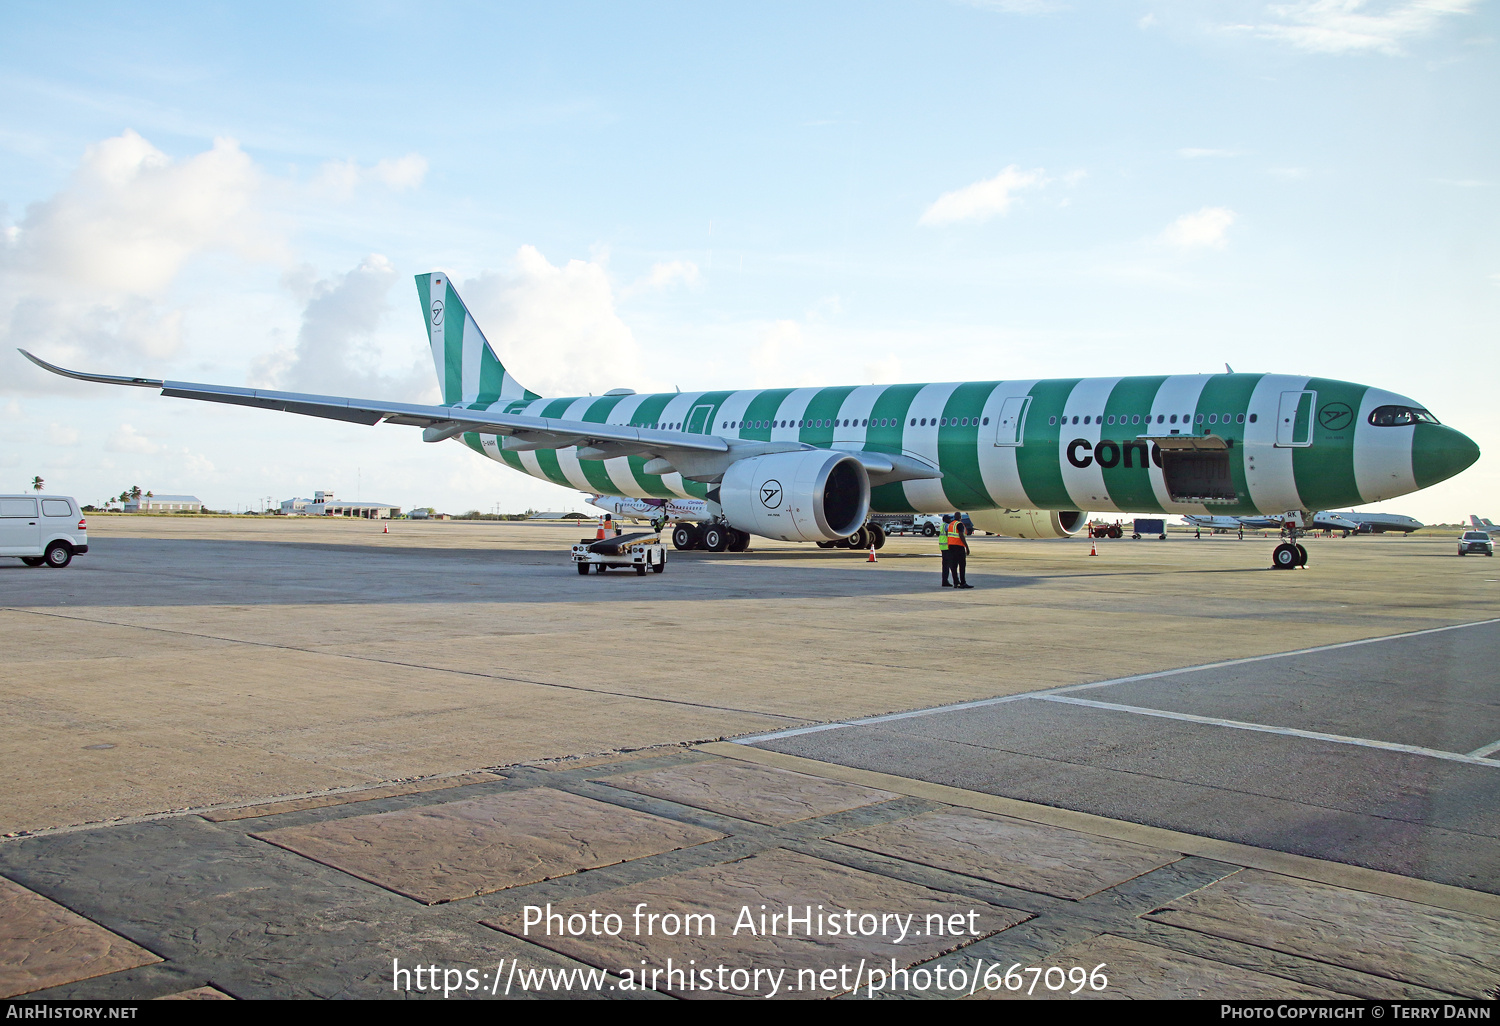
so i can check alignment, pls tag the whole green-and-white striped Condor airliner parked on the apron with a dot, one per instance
(1021, 457)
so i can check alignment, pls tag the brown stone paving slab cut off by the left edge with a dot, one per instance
(46, 946)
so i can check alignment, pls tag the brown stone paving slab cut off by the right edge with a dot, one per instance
(1387, 937)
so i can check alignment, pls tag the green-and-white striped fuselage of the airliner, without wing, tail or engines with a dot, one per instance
(1078, 448)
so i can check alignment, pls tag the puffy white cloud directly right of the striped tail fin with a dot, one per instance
(556, 329)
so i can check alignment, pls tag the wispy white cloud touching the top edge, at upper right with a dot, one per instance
(1355, 26)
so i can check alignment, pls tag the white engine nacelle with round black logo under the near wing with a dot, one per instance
(809, 496)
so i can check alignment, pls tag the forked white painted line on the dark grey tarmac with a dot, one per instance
(1052, 692)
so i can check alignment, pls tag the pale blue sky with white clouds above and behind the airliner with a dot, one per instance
(713, 196)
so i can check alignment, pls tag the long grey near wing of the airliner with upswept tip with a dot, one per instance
(439, 422)
